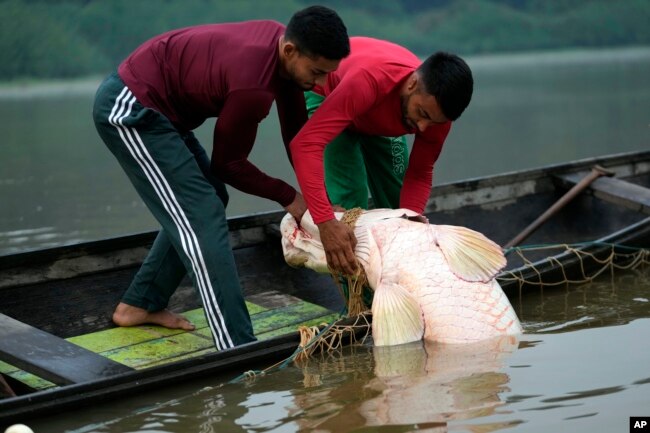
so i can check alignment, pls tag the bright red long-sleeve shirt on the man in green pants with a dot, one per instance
(363, 95)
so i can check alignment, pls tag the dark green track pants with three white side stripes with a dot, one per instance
(171, 172)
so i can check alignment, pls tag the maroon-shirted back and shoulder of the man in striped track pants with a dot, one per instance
(188, 73)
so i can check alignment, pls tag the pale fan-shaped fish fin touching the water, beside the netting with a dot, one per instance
(396, 316)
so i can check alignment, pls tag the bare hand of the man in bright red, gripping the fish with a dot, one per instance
(339, 242)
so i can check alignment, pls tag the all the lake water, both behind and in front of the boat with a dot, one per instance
(582, 365)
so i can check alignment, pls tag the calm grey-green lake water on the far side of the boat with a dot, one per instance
(59, 184)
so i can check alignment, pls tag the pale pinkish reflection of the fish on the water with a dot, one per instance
(445, 382)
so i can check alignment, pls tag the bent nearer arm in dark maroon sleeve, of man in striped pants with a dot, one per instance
(234, 136)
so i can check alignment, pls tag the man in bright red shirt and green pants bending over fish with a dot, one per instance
(352, 141)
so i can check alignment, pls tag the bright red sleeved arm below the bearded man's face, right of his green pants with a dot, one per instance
(419, 174)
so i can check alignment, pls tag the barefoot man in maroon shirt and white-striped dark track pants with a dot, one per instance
(146, 113)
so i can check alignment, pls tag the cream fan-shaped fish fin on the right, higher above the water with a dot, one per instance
(470, 255)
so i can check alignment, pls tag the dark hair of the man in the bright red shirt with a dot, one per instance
(447, 77)
